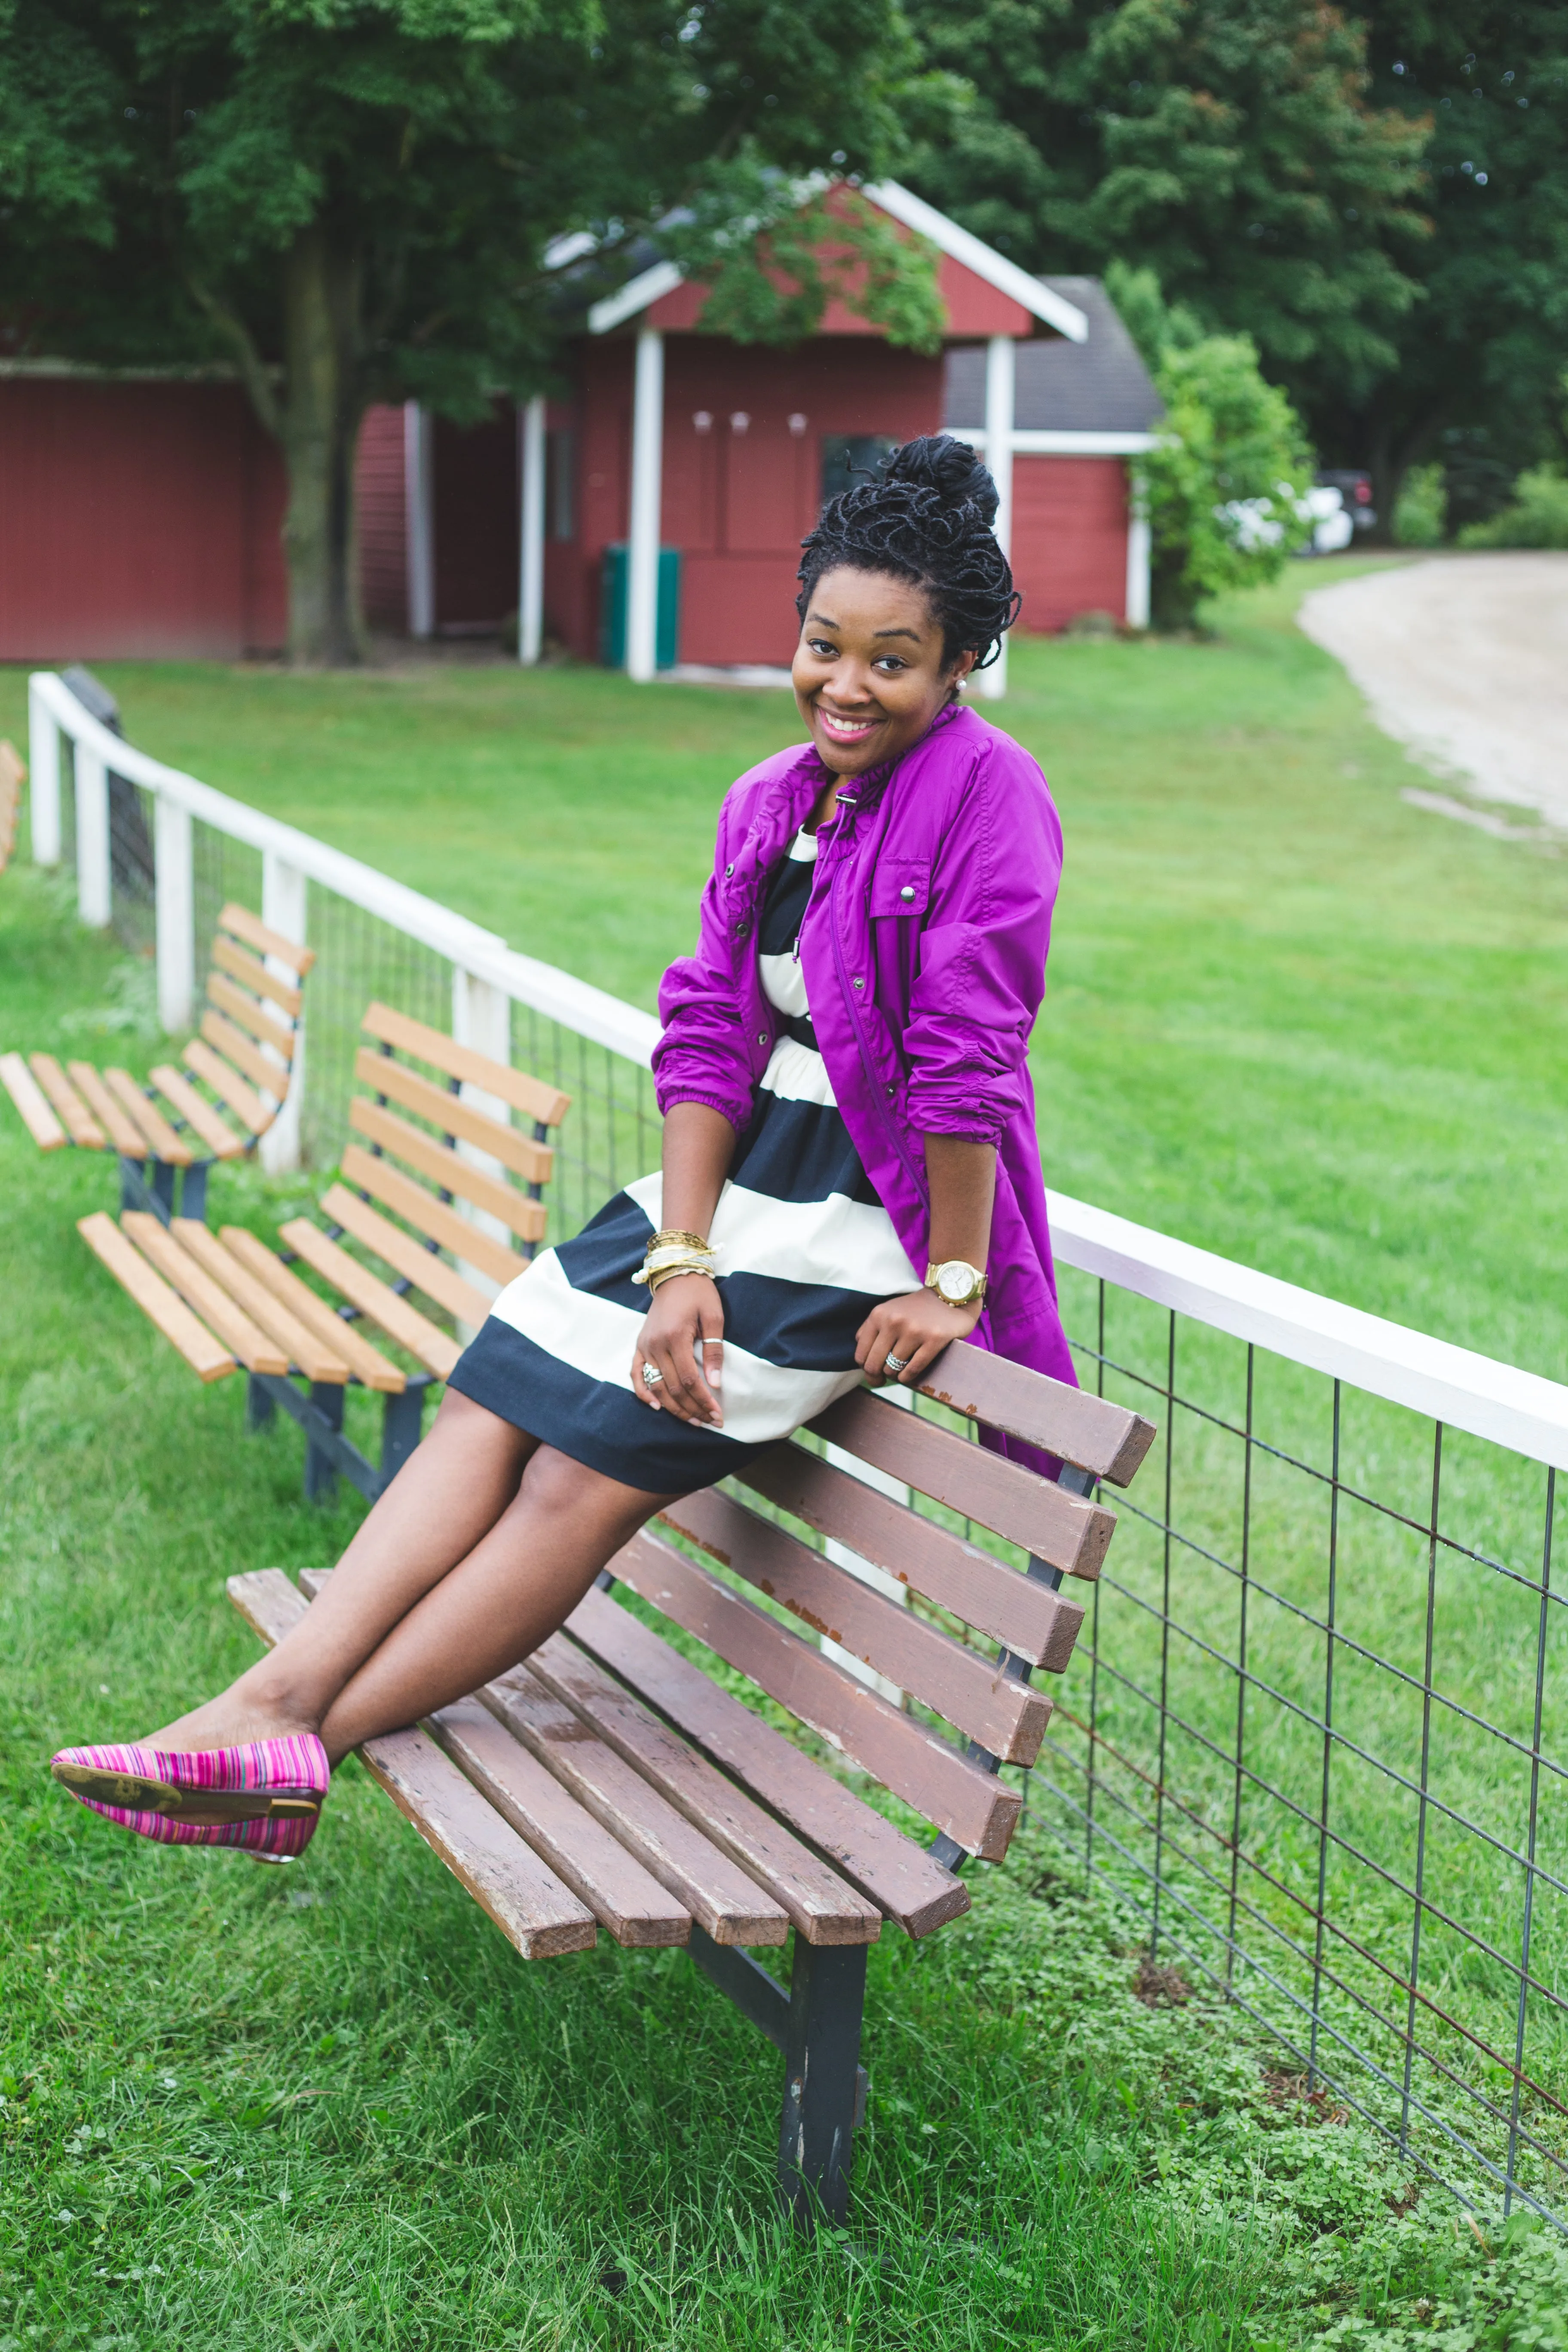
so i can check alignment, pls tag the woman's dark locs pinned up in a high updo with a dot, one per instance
(925, 519)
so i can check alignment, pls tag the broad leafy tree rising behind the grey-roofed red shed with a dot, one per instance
(1226, 145)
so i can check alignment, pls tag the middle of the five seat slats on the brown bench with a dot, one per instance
(728, 1904)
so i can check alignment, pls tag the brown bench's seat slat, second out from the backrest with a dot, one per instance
(817, 1899)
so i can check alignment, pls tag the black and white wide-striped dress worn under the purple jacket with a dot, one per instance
(803, 1245)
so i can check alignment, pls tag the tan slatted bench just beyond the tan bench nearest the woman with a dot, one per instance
(217, 1107)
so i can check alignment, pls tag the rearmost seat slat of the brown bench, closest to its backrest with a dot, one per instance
(878, 1859)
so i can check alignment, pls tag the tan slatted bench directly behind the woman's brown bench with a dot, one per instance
(420, 1147)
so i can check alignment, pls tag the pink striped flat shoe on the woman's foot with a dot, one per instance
(262, 1798)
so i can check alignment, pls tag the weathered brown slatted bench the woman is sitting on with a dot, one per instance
(610, 1782)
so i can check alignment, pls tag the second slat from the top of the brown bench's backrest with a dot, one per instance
(1059, 1528)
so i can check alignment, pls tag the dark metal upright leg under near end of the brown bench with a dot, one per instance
(822, 2080)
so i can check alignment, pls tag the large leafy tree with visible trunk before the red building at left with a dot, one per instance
(351, 199)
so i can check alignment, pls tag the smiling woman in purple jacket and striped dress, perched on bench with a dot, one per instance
(850, 1182)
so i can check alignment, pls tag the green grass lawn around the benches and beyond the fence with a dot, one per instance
(328, 2109)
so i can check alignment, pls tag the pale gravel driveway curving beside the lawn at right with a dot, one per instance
(1466, 660)
